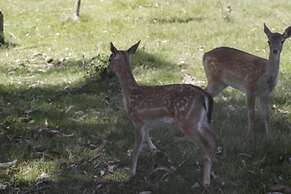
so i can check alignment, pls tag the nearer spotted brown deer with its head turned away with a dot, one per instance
(185, 106)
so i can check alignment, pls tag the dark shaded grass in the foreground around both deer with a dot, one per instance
(85, 133)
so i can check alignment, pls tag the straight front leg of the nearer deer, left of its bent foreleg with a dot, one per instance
(140, 137)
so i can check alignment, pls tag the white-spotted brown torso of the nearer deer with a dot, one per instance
(167, 101)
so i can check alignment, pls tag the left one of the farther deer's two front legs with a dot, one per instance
(251, 100)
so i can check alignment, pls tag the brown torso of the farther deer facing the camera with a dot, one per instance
(242, 71)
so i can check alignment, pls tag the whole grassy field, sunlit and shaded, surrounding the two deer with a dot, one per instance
(65, 125)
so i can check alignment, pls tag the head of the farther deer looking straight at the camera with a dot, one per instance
(276, 40)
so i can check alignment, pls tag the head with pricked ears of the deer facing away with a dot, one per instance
(120, 58)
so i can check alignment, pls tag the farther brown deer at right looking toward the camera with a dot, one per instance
(253, 75)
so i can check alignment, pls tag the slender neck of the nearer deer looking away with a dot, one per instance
(126, 80)
